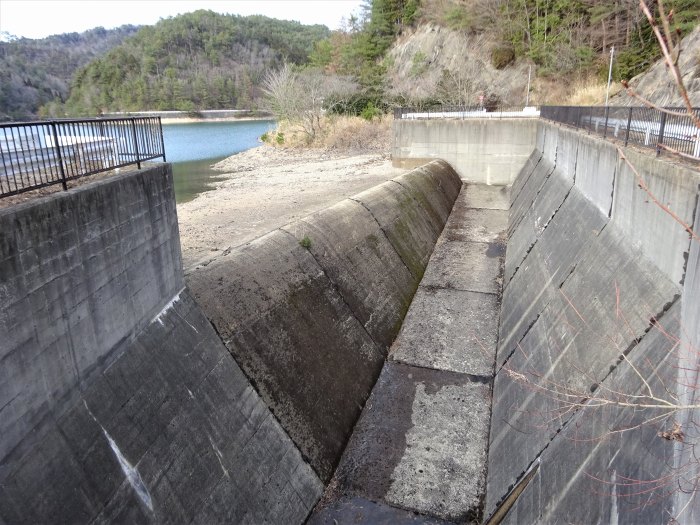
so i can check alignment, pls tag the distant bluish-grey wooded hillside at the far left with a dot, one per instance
(34, 72)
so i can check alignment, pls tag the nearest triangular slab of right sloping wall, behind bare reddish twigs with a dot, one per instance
(607, 474)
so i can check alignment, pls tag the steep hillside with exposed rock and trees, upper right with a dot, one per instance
(456, 51)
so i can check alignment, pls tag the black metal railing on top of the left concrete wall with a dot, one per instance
(43, 153)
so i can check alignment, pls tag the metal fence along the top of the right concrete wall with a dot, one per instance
(672, 129)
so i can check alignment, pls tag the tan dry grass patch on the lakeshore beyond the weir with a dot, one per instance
(339, 134)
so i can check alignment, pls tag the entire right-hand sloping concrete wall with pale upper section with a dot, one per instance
(599, 306)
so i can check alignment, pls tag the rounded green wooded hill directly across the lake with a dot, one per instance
(200, 60)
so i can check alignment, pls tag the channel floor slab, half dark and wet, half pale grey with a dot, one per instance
(414, 445)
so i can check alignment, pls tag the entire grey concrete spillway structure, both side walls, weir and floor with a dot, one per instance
(508, 334)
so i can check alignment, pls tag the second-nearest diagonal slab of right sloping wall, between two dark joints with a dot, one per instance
(601, 310)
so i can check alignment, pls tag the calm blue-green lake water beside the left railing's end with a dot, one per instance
(193, 147)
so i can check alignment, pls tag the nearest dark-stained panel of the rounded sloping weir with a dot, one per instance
(281, 318)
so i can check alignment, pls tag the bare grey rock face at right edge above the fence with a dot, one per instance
(657, 84)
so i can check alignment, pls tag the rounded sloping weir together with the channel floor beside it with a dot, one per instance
(311, 310)
